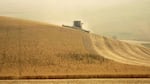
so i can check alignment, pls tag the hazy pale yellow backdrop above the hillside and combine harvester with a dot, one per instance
(126, 19)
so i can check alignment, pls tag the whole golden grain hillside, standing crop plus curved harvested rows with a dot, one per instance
(33, 49)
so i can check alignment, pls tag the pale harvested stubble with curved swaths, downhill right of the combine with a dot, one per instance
(120, 51)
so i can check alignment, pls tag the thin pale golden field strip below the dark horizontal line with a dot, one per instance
(80, 81)
